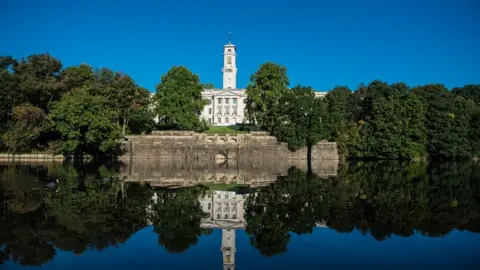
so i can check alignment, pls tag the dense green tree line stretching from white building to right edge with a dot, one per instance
(376, 121)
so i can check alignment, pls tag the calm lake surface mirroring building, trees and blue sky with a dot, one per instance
(245, 215)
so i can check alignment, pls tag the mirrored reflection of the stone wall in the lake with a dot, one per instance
(186, 173)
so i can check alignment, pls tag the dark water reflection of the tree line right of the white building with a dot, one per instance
(379, 199)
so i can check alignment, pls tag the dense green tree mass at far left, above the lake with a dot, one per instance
(73, 110)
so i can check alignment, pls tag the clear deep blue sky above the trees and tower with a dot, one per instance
(322, 43)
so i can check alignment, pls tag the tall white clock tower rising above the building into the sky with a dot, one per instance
(229, 65)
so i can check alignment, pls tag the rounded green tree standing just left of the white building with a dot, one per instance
(178, 101)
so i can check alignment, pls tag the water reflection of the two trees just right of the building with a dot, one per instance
(290, 204)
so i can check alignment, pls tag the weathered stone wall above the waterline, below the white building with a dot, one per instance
(199, 146)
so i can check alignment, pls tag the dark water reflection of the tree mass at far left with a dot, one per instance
(86, 212)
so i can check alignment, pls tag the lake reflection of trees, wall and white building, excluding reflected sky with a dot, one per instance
(94, 207)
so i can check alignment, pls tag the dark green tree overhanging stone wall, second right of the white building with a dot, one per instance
(303, 120)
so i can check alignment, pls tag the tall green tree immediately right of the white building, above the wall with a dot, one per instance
(266, 87)
